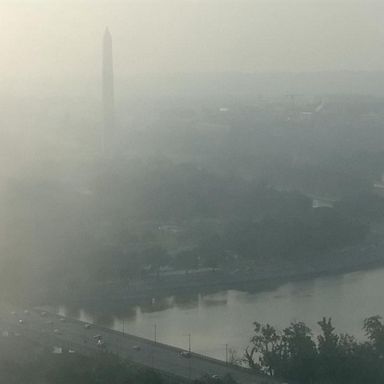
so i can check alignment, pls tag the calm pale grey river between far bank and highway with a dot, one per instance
(225, 318)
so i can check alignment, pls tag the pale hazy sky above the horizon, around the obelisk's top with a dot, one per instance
(62, 38)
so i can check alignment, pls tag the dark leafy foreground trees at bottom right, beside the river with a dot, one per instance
(295, 354)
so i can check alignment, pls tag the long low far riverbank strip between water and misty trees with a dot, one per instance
(258, 278)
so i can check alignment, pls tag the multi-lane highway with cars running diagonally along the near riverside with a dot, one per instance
(52, 330)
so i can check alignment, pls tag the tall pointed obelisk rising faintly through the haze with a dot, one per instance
(108, 93)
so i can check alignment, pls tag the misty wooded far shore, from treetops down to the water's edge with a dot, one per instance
(181, 229)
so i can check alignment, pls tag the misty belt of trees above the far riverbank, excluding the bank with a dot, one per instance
(59, 235)
